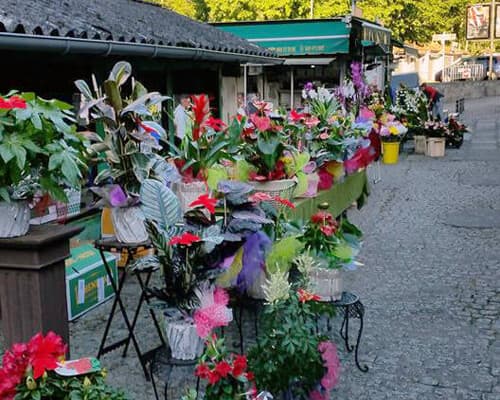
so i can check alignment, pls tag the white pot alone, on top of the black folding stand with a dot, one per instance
(128, 223)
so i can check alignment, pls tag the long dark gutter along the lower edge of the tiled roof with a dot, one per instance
(105, 48)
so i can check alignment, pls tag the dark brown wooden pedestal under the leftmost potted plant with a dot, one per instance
(33, 283)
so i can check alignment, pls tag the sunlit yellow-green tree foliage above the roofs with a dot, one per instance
(410, 20)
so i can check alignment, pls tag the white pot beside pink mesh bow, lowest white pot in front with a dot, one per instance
(183, 340)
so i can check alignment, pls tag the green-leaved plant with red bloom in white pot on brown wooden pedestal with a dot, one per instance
(40, 152)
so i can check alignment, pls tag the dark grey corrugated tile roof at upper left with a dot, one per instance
(129, 21)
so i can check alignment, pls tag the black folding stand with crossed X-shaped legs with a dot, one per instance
(131, 249)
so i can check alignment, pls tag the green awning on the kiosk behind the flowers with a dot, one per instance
(295, 38)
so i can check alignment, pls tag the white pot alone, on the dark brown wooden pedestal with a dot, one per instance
(14, 218)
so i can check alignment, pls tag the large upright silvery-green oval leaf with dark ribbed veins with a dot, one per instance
(160, 204)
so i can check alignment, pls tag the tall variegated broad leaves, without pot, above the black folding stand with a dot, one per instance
(127, 114)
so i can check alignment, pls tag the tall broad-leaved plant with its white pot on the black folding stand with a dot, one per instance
(128, 139)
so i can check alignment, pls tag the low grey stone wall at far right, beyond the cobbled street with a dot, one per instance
(468, 89)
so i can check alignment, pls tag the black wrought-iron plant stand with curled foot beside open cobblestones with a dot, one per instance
(351, 307)
